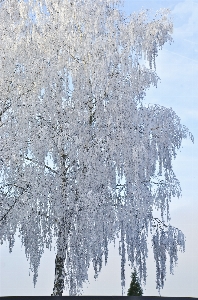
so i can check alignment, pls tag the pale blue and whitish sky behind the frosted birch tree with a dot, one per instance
(177, 66)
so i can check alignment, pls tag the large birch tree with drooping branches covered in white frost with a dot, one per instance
(81, 157)
